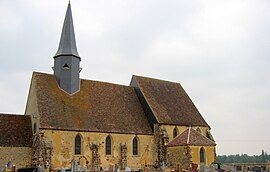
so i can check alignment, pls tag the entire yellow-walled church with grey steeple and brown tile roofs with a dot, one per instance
(95, 125)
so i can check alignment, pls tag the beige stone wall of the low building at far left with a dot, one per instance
(19, 156)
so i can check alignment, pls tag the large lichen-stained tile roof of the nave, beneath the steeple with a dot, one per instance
(98, 106)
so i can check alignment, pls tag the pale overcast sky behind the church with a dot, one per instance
(218, 50)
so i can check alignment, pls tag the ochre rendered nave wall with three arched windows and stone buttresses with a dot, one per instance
(63, 143)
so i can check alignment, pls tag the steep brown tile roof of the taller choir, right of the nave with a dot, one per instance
(169, 102)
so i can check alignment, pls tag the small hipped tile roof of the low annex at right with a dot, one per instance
(192, 138)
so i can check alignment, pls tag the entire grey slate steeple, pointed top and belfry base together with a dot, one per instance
(67, 60)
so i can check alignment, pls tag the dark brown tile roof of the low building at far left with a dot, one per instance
(15, 130)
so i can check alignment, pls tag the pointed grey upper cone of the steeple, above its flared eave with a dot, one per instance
(67, 45)
